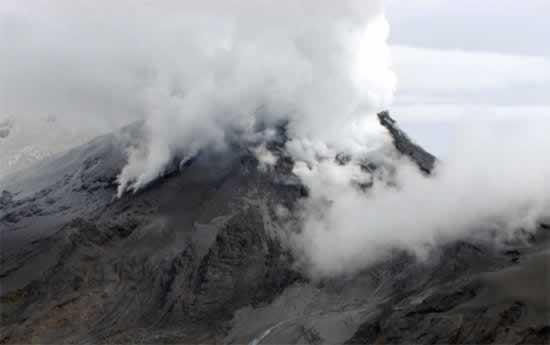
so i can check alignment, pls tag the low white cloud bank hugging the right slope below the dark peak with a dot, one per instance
(490, 187)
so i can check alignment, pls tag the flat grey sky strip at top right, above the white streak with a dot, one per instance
(505, 26)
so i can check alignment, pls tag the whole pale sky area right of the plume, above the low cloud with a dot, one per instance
(459, 61)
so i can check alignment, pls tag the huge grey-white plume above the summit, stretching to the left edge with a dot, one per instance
(195, 70)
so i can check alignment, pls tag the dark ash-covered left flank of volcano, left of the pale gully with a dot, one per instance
(190, 250)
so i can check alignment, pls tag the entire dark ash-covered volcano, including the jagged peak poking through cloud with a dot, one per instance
(197, 258)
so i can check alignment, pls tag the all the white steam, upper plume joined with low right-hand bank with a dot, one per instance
(199, 72)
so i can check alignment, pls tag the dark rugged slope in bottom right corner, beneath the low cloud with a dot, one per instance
(478, 307)
